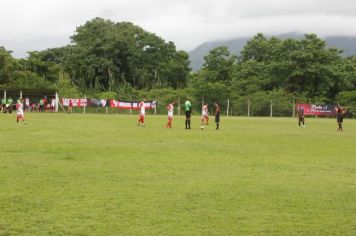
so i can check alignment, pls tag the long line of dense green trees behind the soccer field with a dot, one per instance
(121, 60)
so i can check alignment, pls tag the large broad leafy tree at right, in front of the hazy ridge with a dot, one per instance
(303, 66)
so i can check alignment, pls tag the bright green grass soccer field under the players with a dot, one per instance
(87, 174)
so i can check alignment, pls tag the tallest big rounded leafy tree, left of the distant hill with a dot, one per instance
(107, 55)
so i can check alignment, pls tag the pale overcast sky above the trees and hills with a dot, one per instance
(27, 25)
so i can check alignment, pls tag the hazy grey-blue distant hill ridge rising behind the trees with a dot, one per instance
(235, 45)
